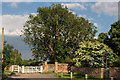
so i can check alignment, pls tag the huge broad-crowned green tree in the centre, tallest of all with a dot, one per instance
(54, 33)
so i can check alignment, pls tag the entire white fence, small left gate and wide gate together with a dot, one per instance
(27, 69)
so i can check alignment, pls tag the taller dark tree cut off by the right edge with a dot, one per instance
(114, 33)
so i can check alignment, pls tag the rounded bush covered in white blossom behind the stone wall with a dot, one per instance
(93, 54)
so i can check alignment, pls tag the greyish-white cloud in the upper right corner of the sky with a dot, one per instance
(108, 8)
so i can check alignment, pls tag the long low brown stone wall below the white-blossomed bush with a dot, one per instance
(97, 72)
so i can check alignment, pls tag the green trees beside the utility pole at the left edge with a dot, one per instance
(11, 56)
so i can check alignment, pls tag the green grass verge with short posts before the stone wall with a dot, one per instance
(76, 76)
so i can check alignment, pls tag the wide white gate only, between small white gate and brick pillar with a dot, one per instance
(32, 69)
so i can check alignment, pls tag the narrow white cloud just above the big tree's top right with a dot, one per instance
(74, 5)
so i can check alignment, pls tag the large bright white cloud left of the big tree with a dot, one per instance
(13, 24)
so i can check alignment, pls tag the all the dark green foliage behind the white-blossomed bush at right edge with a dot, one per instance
(113, 40)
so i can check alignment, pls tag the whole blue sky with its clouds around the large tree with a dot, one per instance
(15, 14)
